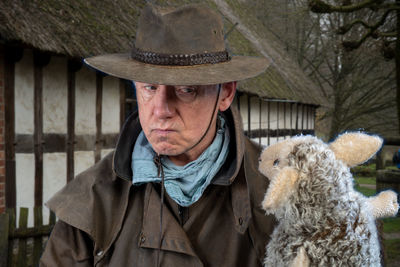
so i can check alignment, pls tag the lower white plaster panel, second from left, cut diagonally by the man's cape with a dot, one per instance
(54, 177)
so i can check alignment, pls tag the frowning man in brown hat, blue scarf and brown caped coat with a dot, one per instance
(182, 187)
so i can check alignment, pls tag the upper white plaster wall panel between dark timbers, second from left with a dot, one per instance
(55, 96)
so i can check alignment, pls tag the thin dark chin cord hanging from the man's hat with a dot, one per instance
(160, 173)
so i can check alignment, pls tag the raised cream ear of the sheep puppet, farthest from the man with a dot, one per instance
(355, 148)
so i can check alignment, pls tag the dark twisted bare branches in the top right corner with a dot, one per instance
(374, 19)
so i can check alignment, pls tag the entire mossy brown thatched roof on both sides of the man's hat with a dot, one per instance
(82, 28)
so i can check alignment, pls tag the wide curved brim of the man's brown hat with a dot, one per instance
(123, 66)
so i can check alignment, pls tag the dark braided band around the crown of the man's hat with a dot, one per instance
(179, 59)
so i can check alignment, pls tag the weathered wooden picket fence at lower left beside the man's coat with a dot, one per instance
(21, 245)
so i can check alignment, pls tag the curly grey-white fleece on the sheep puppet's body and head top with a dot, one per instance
(324, 214)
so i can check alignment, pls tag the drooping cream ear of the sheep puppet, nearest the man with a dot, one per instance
(280, 189)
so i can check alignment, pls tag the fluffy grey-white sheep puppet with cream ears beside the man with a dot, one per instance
(322, 220)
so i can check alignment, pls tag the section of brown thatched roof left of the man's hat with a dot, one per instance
(77, 28)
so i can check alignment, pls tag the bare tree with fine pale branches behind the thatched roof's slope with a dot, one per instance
(359, 84)
